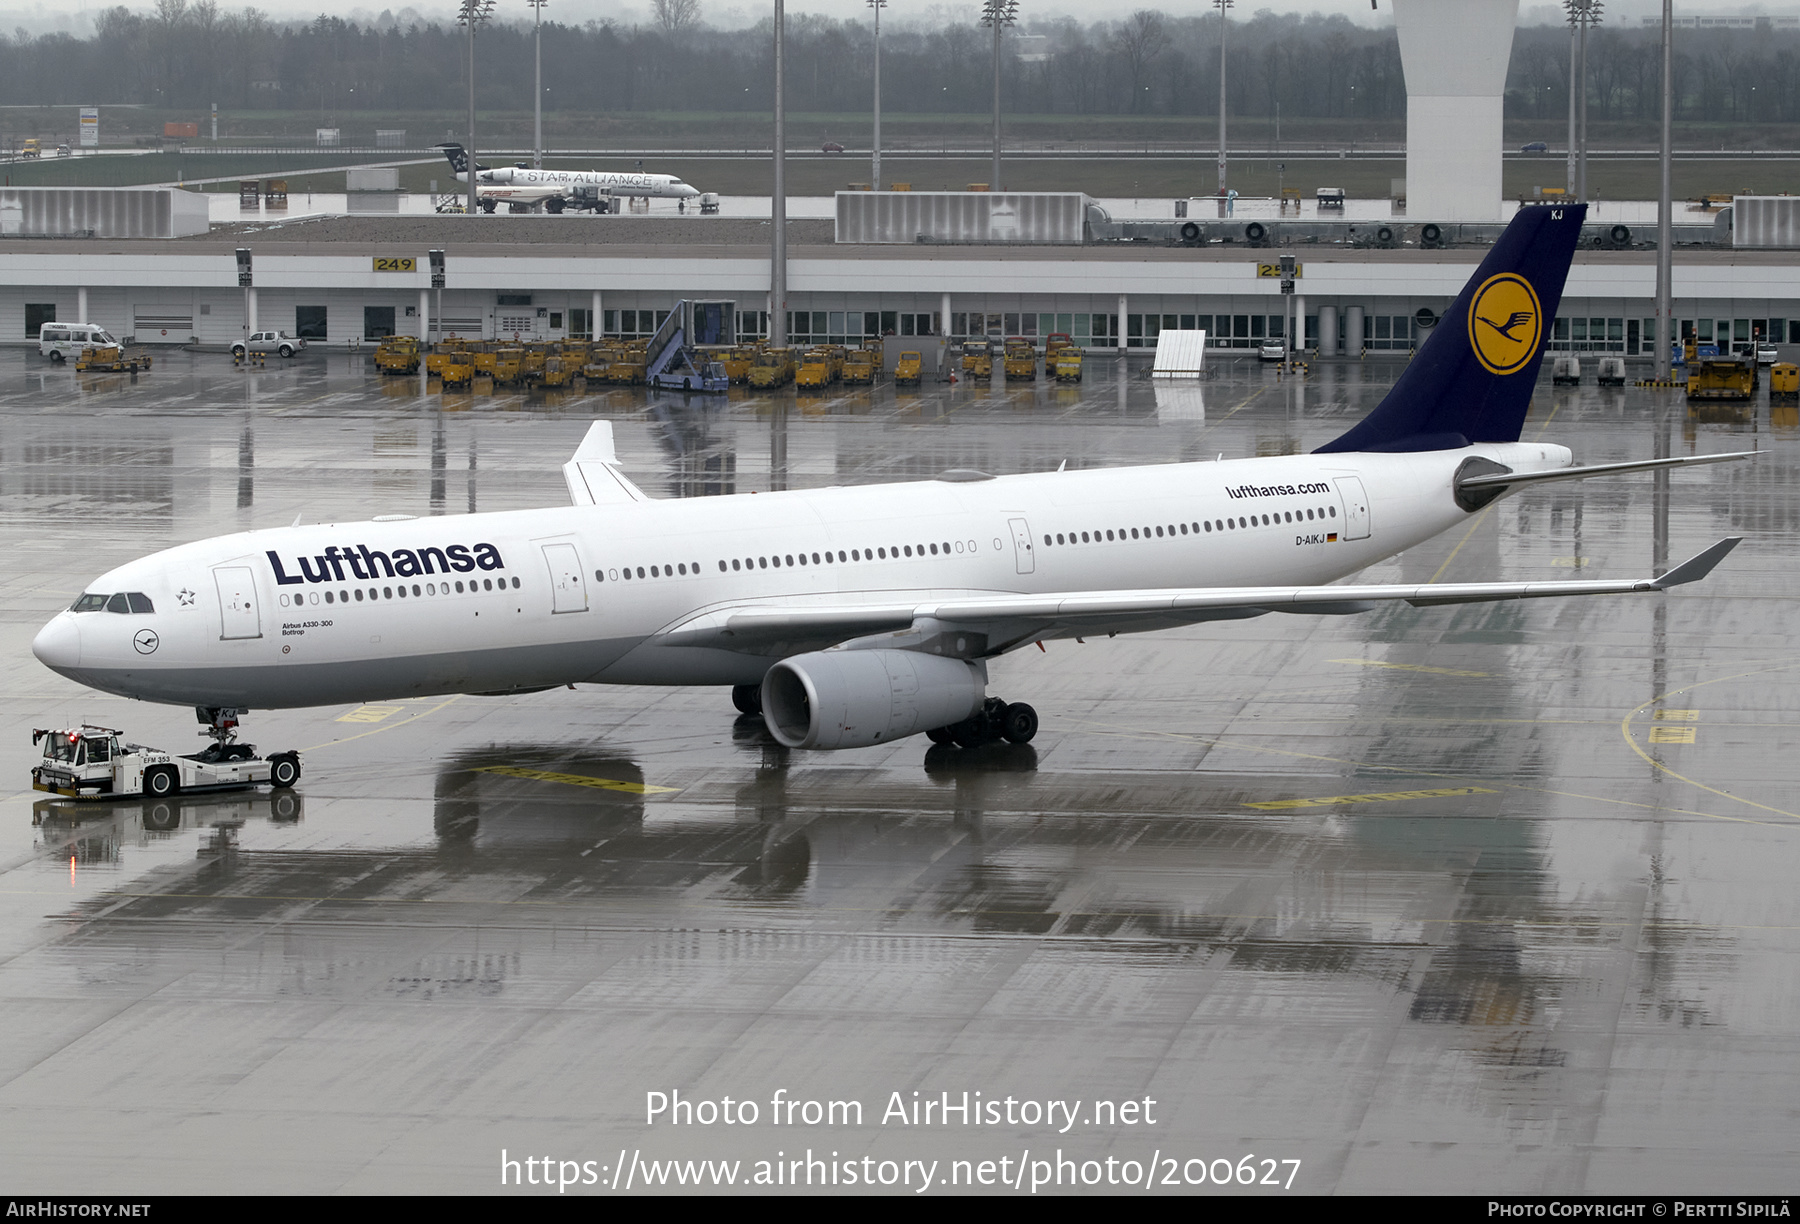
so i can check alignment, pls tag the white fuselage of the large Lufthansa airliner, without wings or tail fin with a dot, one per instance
(519, 600)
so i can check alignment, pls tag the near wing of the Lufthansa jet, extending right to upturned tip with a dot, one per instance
(1009, 622)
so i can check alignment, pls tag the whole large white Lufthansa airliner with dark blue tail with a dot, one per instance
(856, 616)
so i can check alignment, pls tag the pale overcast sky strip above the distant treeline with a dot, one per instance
(78, 19)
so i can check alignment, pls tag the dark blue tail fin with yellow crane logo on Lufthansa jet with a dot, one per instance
(1473, 379)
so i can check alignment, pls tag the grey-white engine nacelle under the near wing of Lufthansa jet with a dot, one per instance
(850, 699)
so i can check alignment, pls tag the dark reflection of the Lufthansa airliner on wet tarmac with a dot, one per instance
(1164, 870)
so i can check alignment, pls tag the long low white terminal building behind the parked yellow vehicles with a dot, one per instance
(1119, 298)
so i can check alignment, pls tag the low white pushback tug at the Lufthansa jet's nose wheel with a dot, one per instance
(96, 762)
